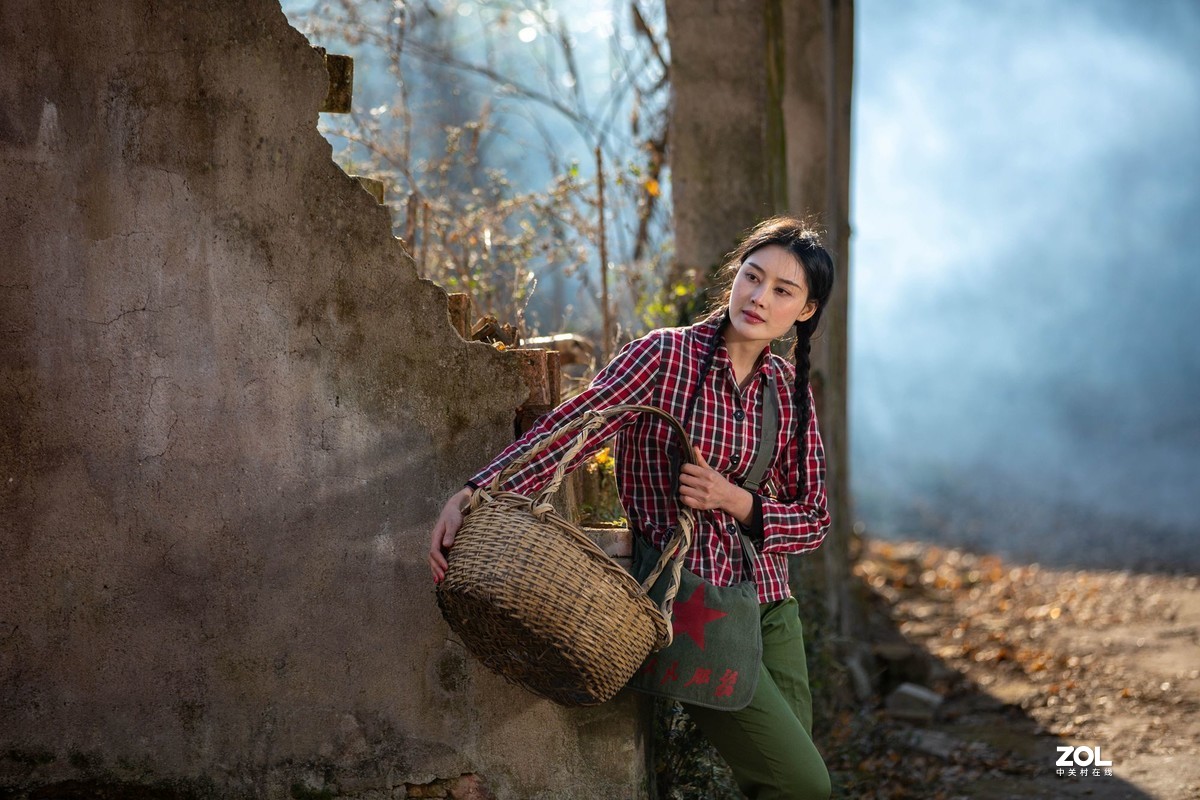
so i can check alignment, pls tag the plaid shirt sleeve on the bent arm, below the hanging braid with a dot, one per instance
(799, 525)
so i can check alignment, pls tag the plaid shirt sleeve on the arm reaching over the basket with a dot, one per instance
(628, 380)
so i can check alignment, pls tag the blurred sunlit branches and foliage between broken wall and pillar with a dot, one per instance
(493, 124)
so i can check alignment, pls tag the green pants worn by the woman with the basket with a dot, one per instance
(769, 744)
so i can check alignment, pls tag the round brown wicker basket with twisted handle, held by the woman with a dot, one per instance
(539, 603)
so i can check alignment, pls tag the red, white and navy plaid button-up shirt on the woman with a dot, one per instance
(662, 370)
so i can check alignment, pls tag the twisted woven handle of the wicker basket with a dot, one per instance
(586, 425)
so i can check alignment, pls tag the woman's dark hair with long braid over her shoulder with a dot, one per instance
(802, 240)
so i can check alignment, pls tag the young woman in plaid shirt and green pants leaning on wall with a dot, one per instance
(713, 377)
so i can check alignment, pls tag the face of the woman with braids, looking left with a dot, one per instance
(770, 296)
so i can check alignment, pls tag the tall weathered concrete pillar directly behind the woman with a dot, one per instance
(761, 125)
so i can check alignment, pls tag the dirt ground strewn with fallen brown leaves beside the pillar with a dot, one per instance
(1027, 660)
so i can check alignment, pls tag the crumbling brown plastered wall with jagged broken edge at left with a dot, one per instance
(231, 413)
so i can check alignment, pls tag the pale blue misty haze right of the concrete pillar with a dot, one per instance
(1024, 353)
